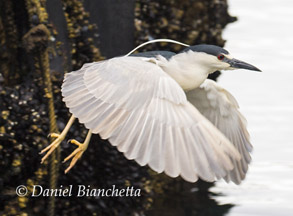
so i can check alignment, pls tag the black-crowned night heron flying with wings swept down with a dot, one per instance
(160, 109)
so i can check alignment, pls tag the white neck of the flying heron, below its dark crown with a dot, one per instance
(185, 69)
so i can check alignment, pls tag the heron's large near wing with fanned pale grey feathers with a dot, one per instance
(145, 113)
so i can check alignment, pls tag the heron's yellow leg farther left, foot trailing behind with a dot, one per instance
(59, 138)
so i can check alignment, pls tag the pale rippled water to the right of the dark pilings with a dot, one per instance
(263, 36)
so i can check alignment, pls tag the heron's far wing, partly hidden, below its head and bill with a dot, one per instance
(221, 108)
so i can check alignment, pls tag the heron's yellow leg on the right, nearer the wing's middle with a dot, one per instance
(77, 153)
